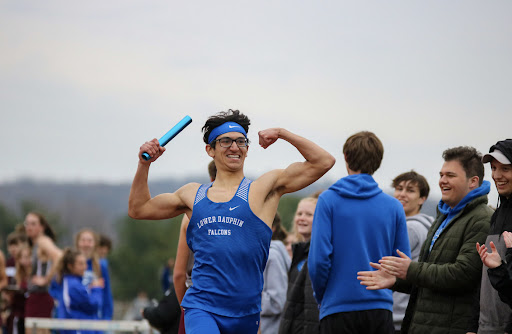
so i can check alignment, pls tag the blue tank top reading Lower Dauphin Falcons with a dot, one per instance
(230, 245)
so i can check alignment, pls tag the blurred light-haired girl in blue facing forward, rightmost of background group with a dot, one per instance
(87, 241)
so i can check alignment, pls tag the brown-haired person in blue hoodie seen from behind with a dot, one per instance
(354, 223)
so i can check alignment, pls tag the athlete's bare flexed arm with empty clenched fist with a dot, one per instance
(300, 174)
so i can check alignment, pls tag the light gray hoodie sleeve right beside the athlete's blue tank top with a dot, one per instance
(275, 286)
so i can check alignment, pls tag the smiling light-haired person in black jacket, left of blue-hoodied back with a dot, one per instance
(300, 313)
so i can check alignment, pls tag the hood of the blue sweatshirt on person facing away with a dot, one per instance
(360, 186)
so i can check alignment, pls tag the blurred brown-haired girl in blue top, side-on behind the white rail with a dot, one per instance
(77, 301)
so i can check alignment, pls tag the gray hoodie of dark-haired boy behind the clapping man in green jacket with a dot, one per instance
(417, 228)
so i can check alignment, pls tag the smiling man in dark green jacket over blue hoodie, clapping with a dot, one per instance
(445, 279)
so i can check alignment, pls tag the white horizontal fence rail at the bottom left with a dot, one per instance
(95, 325)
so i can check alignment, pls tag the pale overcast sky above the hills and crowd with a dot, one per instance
(84, 84)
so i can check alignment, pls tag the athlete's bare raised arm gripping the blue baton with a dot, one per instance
(140, 203)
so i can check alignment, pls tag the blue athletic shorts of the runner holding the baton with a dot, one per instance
(202, 322)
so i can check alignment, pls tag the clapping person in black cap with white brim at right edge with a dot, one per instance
(491, 314)
